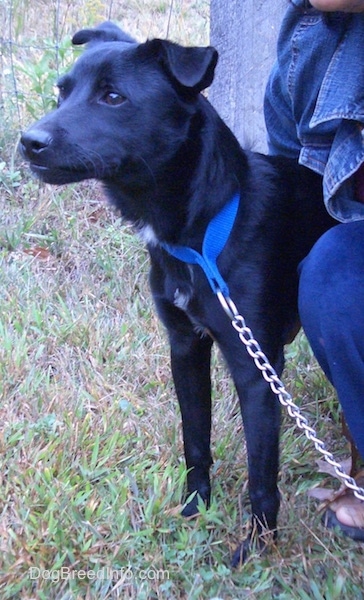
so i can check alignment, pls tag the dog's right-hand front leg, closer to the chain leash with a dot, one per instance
(261, 417)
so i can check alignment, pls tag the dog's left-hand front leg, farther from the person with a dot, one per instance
(190, 359)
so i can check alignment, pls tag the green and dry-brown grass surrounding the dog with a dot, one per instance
(91, 459)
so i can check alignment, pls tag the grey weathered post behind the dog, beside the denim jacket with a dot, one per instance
(244, 32)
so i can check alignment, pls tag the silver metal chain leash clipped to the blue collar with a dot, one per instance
(270, 375)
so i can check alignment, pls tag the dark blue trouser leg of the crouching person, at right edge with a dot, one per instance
(331, 306)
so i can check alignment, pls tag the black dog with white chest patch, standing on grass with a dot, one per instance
(132, 116)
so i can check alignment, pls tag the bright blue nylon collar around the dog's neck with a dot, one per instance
(215, 238)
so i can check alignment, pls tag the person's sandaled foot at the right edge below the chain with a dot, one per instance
(346, 512)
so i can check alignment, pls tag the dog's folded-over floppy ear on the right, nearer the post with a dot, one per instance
(192, 67)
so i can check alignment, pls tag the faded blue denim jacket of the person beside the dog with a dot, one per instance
(314, 102)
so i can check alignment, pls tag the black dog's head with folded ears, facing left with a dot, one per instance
(123, 109)
